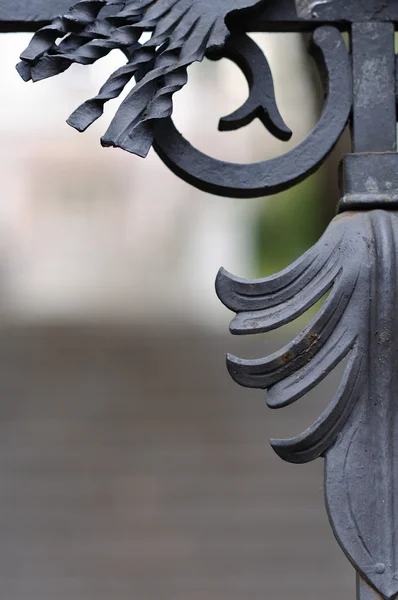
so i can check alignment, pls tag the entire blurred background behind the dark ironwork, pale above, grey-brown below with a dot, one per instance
(131, 466)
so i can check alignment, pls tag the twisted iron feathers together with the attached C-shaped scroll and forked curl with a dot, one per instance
(185, 31)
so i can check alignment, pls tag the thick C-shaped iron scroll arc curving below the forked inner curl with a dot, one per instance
(271, 176)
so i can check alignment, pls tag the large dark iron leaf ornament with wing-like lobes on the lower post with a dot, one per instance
(356, 262)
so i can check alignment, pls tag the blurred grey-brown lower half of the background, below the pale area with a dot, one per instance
(131, 467)
